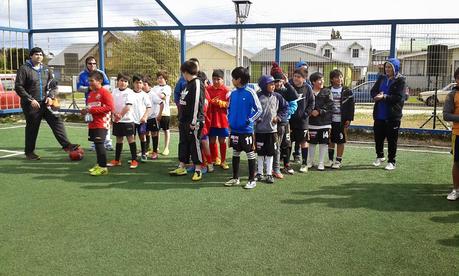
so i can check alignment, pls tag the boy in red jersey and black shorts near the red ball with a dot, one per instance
(100, 106)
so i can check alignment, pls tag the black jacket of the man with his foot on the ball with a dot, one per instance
(34, 84)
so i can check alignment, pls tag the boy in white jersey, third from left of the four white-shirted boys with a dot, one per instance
(154, 118)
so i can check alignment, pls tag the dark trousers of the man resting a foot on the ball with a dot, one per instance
(33, 121)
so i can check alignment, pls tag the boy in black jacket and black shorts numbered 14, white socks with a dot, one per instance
(319, 120)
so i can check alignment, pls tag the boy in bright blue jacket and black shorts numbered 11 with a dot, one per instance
(243, 110)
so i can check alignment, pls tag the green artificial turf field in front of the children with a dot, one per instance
(55, 219)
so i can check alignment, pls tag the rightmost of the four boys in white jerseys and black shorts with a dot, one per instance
(164, 91)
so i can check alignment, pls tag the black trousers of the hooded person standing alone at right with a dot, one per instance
(382, 130)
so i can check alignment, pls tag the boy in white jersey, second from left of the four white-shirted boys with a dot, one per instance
(141, 108)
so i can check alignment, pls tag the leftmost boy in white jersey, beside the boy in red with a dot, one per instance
(123, 121)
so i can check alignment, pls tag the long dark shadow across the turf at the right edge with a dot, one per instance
(397, 197)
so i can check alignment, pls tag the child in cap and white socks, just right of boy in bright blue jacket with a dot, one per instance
(274, 111)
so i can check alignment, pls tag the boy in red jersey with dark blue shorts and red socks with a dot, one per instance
(218, 109)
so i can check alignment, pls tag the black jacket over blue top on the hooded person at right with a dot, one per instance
(394, 99)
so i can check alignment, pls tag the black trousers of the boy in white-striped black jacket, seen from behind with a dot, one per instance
(190, 144)
